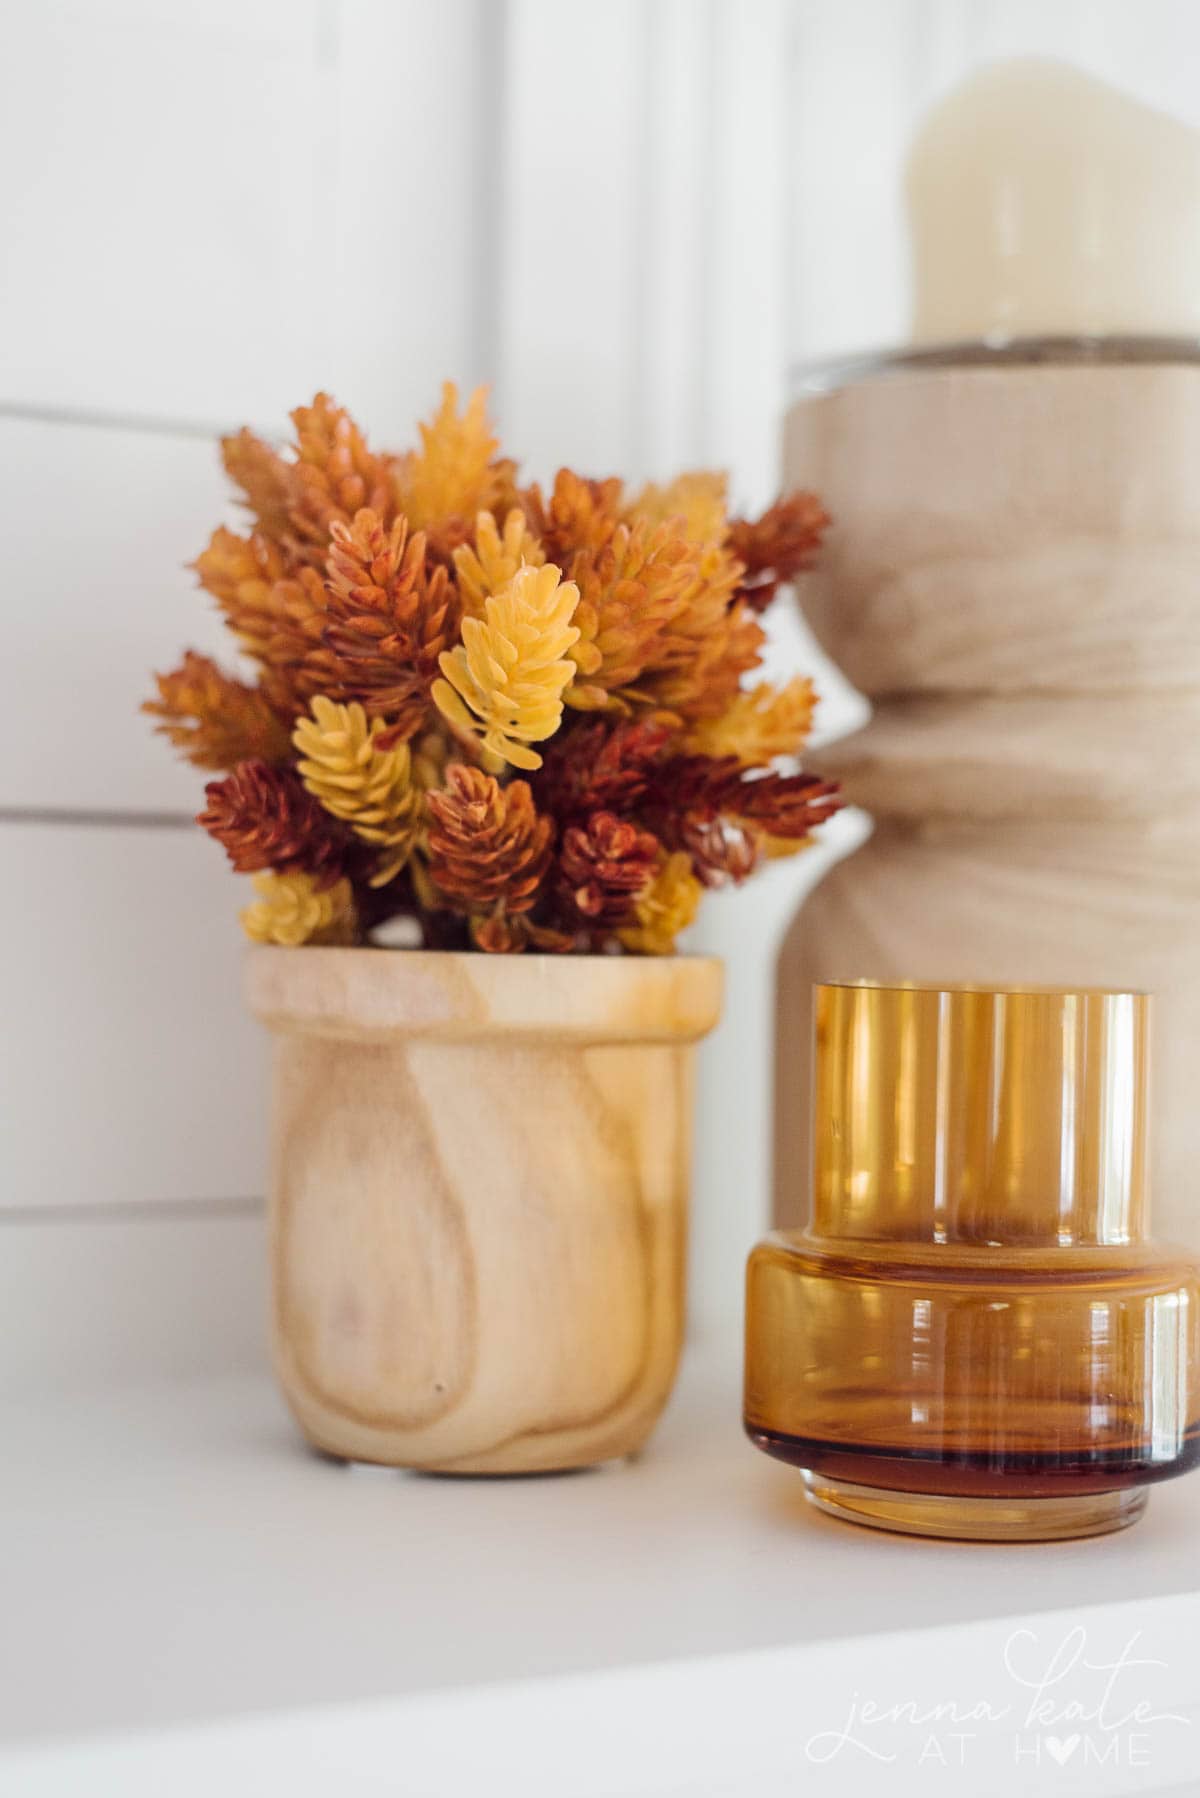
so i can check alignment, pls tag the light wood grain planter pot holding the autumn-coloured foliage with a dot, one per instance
(479, 1200)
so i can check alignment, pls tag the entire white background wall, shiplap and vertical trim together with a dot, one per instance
(627, 218)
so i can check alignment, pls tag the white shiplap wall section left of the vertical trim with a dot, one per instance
(210, 209)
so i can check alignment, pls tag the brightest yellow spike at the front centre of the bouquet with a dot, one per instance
(506, 681)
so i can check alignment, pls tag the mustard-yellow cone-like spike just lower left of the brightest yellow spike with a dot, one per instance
(370, 788)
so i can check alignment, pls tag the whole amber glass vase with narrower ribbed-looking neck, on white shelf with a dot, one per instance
(976, 1335)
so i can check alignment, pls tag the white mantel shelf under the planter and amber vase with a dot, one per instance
(193, 1605)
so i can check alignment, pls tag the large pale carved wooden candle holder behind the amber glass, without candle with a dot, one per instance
(1014, 580)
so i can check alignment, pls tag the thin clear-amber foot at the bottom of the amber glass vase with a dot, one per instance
(978, 1520)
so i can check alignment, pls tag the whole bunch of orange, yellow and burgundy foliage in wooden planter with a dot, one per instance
(517, 718)
